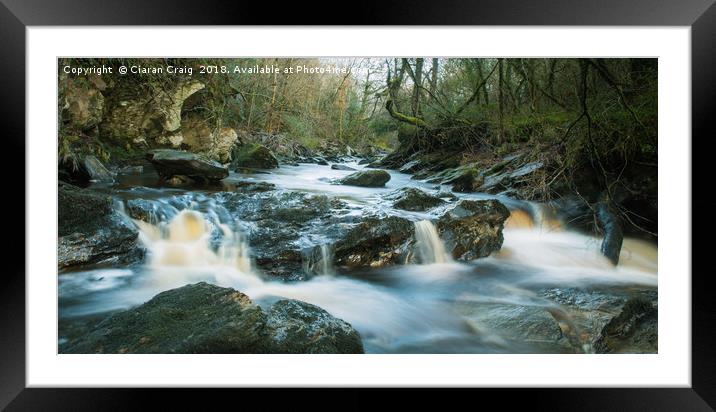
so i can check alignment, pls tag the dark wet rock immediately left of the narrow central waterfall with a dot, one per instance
(375, 242)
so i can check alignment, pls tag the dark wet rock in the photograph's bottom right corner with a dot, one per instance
(634, 330)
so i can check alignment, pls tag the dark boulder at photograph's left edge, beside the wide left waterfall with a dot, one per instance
(91, 231)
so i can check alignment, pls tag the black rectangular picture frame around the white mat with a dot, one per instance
(15, 15)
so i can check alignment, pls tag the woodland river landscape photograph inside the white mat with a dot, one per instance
(357, 205)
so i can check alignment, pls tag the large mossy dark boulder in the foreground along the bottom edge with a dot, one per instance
(204, 318)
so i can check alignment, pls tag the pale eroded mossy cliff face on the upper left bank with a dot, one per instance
(138, 114)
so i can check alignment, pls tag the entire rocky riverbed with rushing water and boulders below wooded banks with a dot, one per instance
(184, 255)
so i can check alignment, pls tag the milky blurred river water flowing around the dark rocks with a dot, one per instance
(547, 290)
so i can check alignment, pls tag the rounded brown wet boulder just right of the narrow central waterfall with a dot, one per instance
(473, 228)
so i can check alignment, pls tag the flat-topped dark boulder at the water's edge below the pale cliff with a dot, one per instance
(169, 163)
